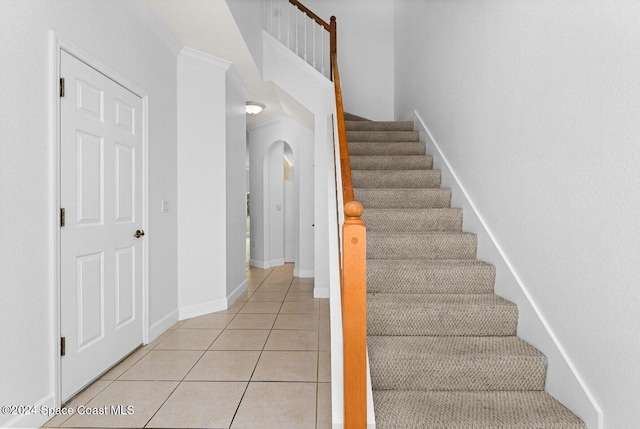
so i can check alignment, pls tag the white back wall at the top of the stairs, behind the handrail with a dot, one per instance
(365, 53)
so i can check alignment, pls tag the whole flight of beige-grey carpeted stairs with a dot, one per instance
(442, 345)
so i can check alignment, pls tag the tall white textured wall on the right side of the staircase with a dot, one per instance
(535, 106)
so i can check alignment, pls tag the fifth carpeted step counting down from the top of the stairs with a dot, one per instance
(396, 178)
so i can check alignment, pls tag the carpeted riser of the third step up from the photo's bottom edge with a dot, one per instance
(467, 320)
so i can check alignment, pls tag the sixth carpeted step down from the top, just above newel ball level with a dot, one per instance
(403, 198)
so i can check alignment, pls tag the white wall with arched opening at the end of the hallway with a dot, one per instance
(261, 138)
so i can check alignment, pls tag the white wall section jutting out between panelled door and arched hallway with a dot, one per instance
(211, 171)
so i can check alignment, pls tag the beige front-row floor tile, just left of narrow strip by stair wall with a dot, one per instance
(277, 405)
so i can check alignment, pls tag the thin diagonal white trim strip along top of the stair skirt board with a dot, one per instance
(486, 231)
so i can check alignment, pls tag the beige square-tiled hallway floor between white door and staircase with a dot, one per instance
(263, 363)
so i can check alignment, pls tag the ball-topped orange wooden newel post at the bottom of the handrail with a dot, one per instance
(354, 316)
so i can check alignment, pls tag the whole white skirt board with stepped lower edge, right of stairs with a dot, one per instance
(563, 380)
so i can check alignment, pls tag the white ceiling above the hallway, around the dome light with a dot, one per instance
(208, 26)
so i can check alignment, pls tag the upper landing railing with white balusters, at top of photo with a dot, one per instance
(289, 22)
